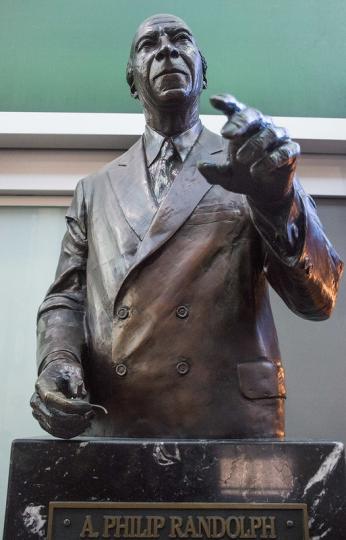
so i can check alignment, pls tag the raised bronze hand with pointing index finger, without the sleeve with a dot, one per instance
(262, 158)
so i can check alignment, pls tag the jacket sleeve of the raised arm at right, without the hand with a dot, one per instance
(300, 263)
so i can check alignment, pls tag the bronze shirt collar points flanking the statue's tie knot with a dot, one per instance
(183, 142)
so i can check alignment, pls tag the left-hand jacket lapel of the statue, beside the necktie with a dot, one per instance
(128, 178)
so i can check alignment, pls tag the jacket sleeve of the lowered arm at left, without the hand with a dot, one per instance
(60, 321)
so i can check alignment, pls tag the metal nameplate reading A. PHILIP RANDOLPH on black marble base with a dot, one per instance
(173, 521)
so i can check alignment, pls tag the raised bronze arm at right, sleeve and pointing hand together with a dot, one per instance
(299, 261)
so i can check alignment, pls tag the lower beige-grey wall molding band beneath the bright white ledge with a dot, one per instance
(32, 177)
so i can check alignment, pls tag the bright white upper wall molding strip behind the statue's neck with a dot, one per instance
(119, 131)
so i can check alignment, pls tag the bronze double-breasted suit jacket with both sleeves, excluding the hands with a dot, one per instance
(167, 308)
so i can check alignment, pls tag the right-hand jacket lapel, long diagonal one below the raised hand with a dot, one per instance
(185, 193)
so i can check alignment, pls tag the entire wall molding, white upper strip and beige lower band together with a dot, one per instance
(43, 155)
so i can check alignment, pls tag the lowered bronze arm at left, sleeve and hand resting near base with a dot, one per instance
(60, 401)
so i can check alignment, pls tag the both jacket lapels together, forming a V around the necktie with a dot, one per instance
(153, 226)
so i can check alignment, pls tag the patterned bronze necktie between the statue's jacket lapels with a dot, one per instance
(168, 166)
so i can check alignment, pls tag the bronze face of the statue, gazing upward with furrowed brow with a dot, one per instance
(167, 65)
